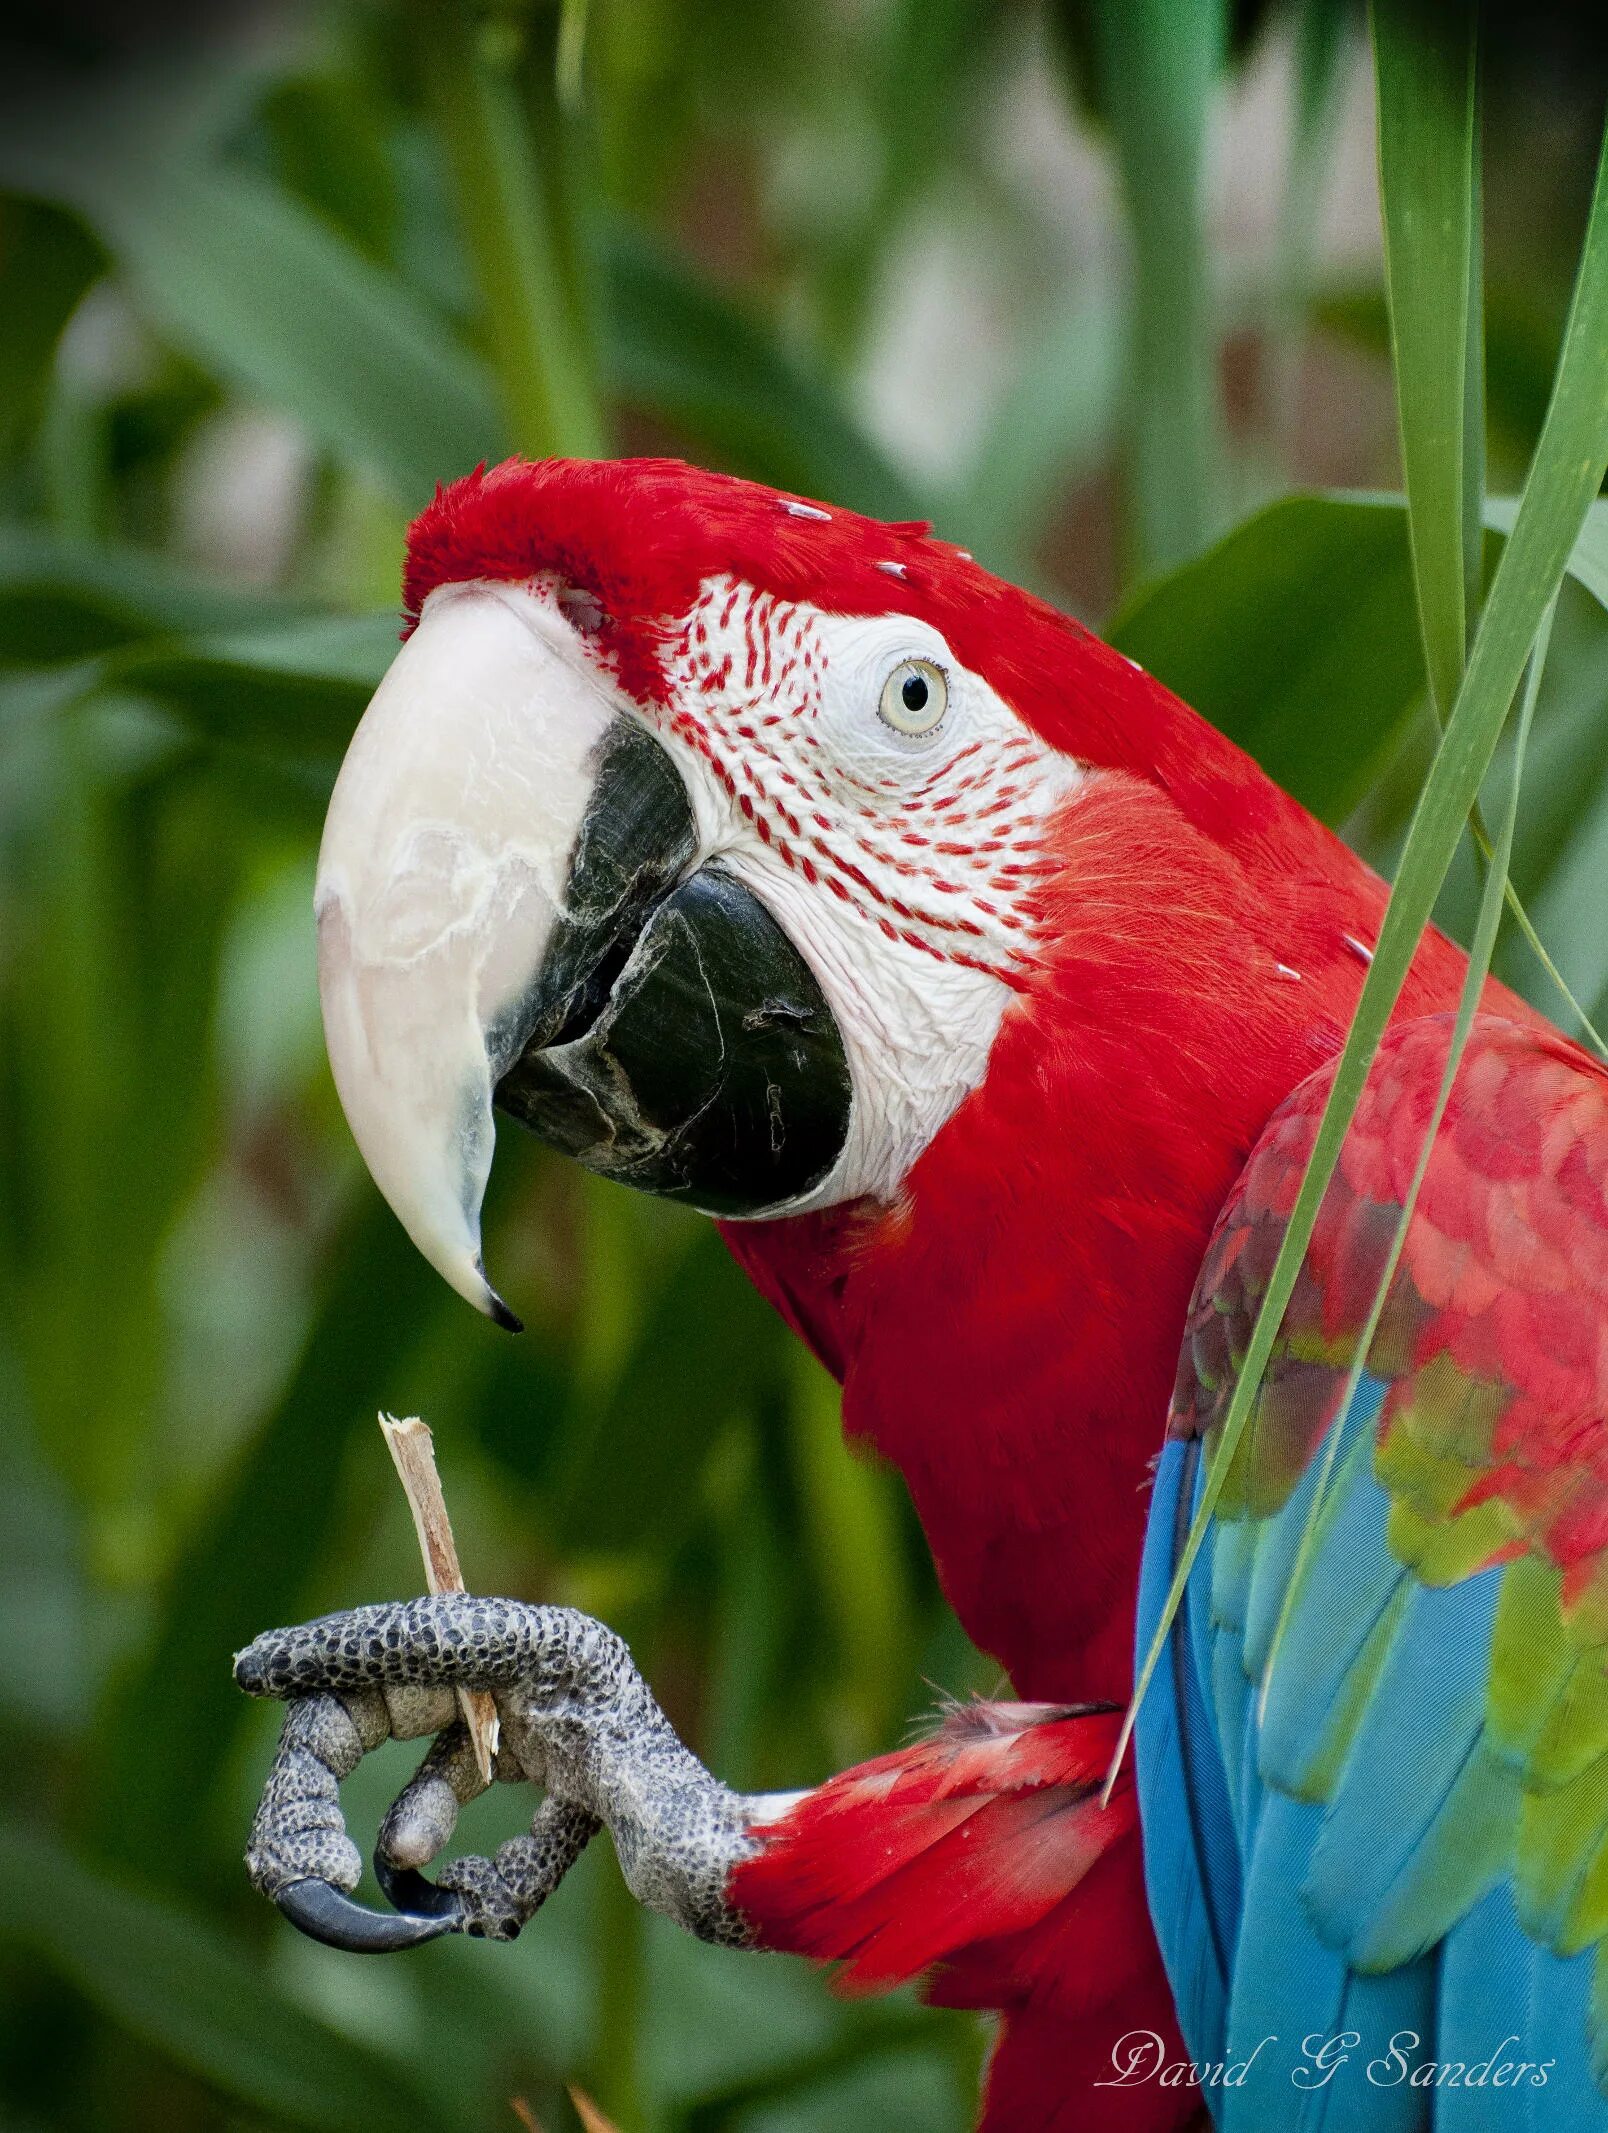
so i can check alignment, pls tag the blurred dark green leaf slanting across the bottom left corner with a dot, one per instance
(172, 1978)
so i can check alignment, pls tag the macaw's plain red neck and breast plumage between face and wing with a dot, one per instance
(1010, 1334)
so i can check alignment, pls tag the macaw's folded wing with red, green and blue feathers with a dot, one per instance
(1383, 1752)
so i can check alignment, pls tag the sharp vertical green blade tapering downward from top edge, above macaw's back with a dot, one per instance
(1428, 189)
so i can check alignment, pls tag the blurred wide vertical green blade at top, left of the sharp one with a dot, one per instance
(1159, 74)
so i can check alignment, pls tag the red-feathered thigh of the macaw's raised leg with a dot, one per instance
(982, 1863)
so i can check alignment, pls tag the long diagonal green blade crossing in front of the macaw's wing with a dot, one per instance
(1566, 475)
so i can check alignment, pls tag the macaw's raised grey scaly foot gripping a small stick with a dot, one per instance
(577, 1720)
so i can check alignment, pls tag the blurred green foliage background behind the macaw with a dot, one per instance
(1099, 291)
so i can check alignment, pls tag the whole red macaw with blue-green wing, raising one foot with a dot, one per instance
(794, 867)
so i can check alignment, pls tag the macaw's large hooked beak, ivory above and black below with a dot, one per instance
(511, 910)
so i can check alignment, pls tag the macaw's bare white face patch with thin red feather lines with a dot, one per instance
(901, 865)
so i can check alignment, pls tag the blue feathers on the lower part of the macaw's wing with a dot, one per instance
(1317, 1906)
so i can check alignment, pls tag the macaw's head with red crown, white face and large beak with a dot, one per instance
(713, 835)
